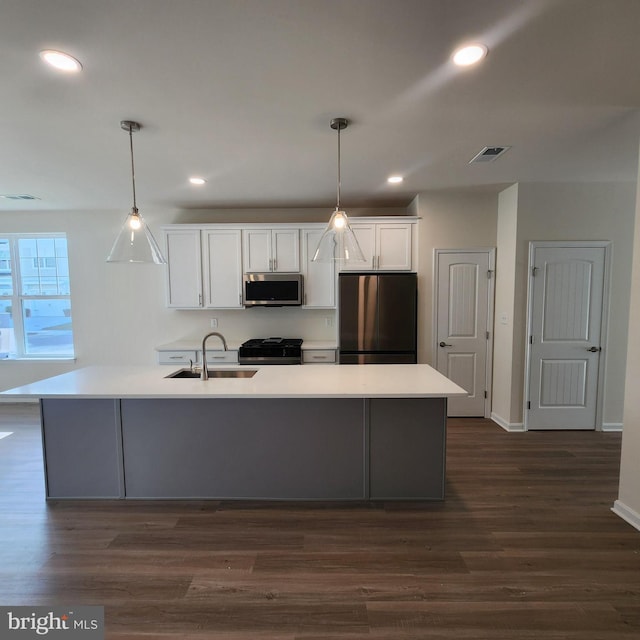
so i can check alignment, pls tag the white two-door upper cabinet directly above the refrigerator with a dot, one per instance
(387, 246)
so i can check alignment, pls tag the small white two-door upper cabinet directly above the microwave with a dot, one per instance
(275, 250)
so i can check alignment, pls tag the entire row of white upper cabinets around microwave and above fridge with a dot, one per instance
(206, 263)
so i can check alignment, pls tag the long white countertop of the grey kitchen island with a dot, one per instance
(281, 381)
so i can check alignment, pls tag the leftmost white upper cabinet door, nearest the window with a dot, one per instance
(184, 269)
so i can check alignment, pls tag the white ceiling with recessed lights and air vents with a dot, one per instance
(241, 92)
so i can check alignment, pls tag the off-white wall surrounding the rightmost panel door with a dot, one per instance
(576, 211)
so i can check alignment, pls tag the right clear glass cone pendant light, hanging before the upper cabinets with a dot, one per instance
(338, 242)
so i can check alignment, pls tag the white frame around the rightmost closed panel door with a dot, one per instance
(604, 324)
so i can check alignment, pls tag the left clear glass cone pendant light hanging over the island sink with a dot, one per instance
(135, 242)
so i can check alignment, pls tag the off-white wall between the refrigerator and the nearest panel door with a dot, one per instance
(448, 220)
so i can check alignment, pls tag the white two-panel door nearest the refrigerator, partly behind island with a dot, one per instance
(462, 317)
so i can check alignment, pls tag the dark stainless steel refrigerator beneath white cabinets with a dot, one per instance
(378, 318)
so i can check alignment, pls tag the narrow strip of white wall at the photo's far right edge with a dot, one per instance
(628, 503)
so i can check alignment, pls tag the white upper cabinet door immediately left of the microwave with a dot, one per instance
(223, 268)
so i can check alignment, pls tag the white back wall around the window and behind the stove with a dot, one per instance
(118, 310)
